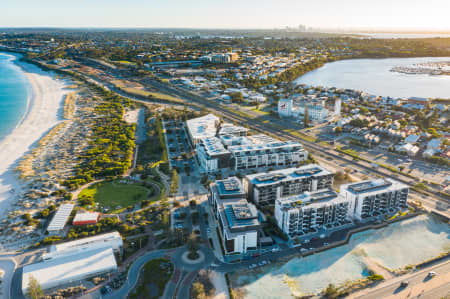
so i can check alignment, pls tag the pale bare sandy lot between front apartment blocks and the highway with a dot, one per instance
(398, 245)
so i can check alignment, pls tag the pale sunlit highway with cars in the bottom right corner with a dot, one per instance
(420, 285)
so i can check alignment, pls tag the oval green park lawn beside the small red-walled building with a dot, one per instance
(114, 194)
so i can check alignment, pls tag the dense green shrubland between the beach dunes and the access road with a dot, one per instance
(111, 145)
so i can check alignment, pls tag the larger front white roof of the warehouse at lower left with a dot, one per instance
(66, 269)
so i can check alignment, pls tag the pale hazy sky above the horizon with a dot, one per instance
(226, 13)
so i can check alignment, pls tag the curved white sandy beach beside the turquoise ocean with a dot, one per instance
(43, 113)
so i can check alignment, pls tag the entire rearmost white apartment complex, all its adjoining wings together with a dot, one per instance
(243, 152)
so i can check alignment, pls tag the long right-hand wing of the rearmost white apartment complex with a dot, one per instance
(261, 151)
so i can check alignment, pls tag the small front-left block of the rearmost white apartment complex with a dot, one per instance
(212, 155)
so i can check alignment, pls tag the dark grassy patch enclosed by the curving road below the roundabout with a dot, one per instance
(155, 276)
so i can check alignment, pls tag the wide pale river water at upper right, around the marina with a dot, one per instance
(374, 76)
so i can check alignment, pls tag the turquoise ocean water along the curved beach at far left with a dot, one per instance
(14, 93)
